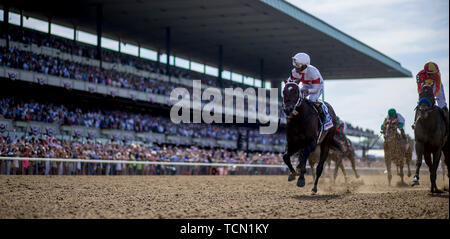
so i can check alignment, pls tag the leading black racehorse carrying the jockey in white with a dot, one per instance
(303, 133)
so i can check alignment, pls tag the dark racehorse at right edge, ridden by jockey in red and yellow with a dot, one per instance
(430, 136)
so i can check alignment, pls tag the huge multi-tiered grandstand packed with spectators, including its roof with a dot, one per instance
(69, 77)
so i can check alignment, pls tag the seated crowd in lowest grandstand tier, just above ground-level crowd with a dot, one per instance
(20, 110)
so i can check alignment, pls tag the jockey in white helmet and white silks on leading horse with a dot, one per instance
(312, 85)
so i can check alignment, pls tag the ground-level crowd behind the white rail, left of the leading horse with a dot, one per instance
(51, 147)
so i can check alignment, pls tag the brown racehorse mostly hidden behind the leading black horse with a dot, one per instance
(337, 157)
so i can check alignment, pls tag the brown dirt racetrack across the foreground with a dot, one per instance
(216, 197)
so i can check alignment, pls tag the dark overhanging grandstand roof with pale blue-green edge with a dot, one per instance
(249, 30)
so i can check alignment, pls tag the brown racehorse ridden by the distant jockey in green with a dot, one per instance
(395, 150)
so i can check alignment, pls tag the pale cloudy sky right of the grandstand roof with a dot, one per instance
(411, 32)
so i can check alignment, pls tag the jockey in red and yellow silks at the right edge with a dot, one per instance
(430, 75)
